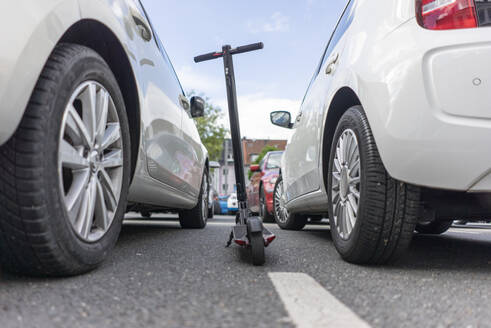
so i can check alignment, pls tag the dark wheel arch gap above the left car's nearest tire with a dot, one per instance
(101, 39)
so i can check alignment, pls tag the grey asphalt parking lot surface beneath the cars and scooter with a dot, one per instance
(162, 276)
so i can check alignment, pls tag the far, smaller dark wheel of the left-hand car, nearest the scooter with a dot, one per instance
(196, 217)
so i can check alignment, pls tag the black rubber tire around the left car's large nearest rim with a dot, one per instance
(29, 242)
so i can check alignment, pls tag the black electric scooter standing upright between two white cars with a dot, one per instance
(249, 231)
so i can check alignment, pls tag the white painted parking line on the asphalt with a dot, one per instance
(310, 305)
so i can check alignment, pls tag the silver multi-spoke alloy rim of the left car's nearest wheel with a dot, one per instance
(90, 161)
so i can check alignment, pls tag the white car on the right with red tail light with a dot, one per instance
(394, 131)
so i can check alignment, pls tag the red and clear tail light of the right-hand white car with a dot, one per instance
(446, 14)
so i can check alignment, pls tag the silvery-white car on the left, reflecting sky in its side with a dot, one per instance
(93, 122)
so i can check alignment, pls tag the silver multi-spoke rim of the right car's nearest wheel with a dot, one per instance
(345, 190)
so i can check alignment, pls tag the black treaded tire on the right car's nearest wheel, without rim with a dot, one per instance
(388, 209)
